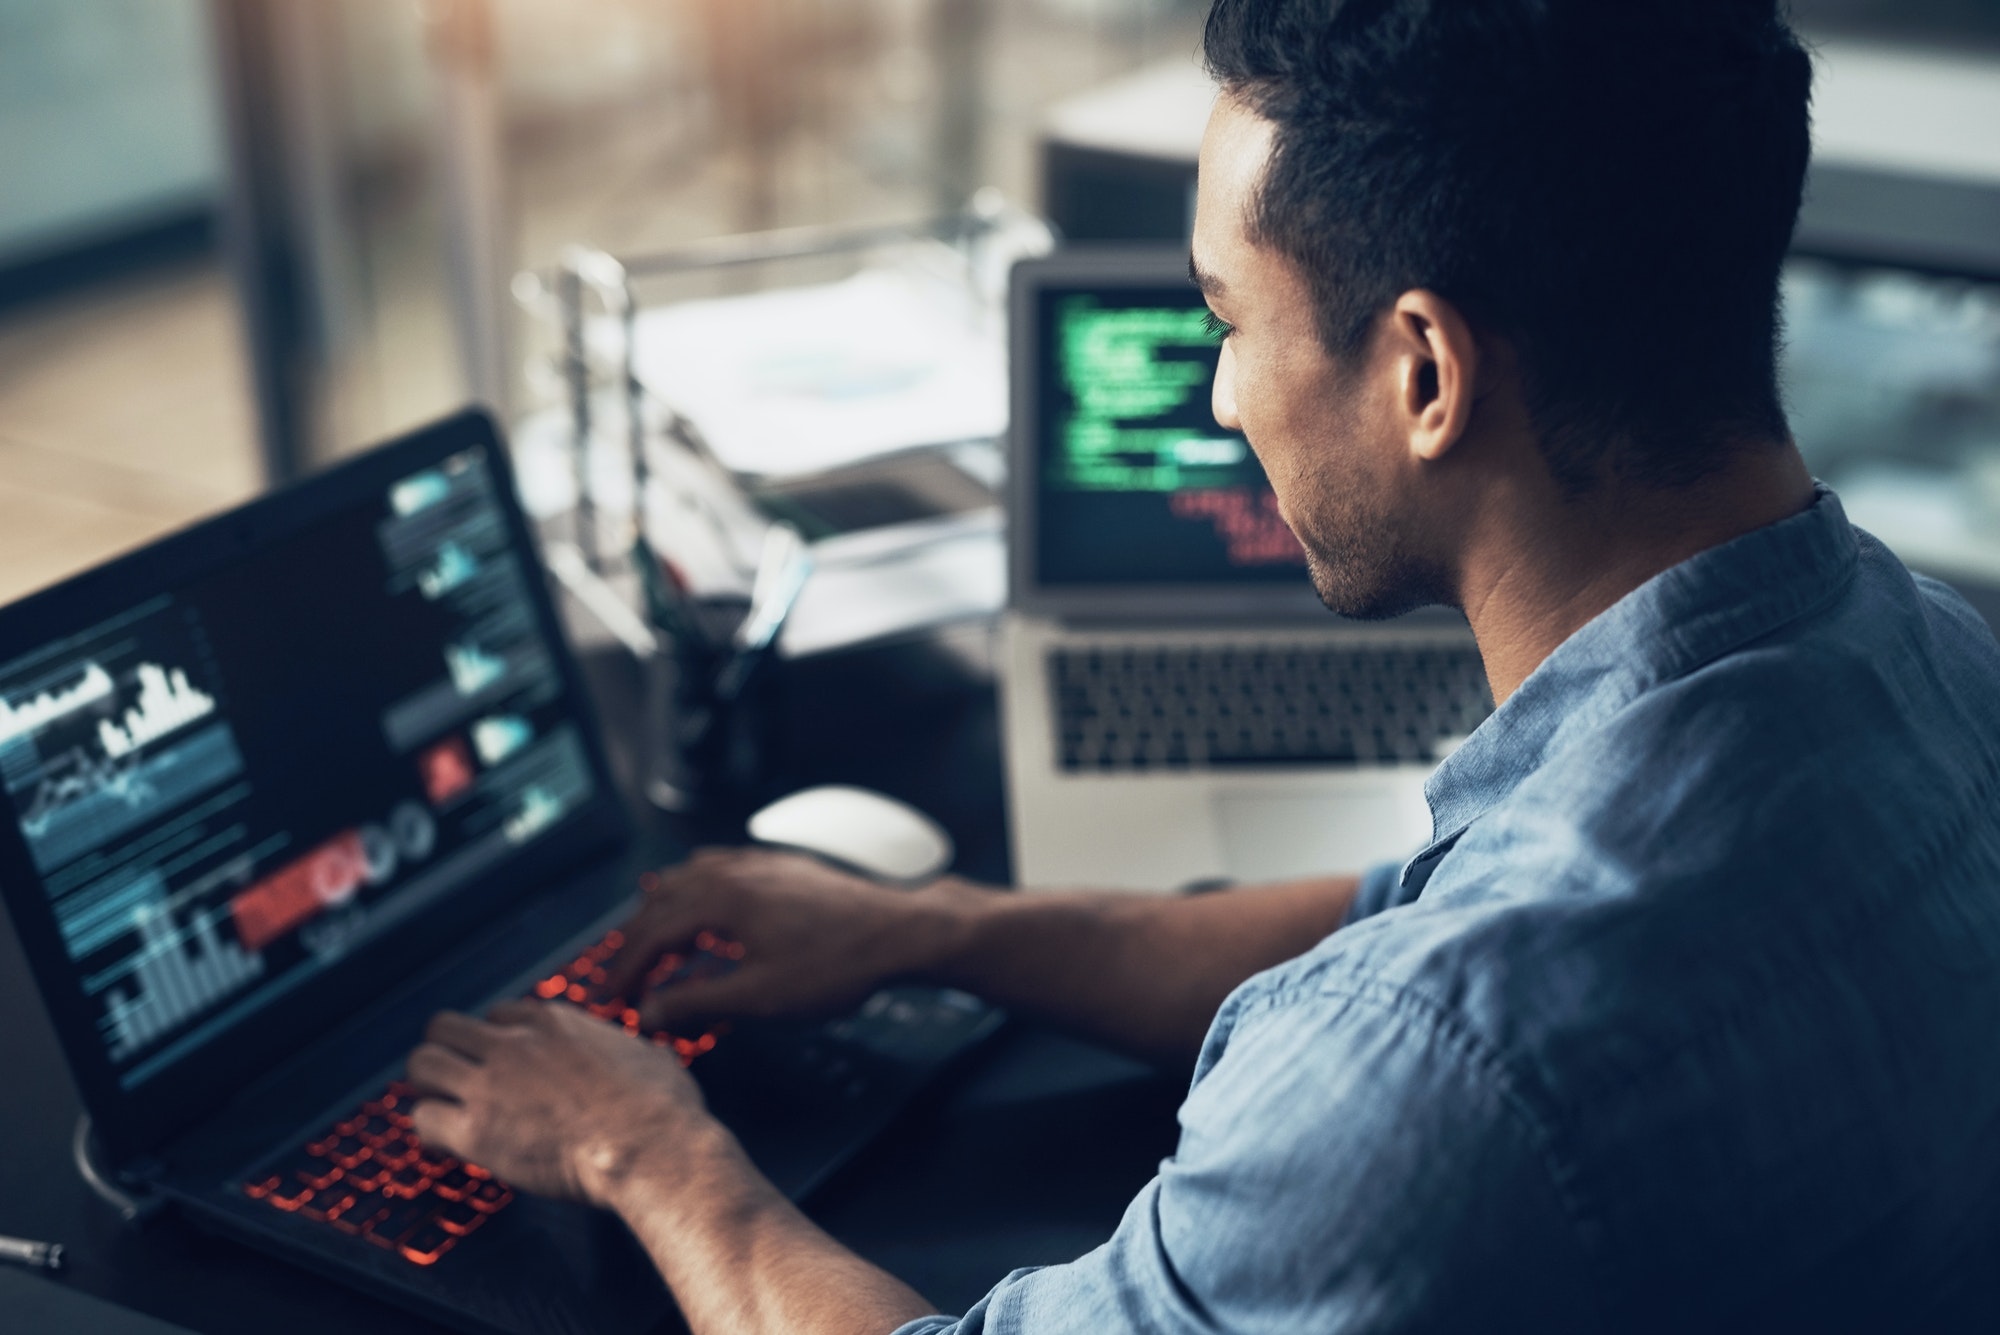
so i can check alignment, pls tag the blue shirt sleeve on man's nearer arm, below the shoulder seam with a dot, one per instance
(1347, 1164)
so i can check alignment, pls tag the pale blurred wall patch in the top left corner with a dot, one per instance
(107, 117)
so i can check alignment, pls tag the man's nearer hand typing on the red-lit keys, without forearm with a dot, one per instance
(553, 1100)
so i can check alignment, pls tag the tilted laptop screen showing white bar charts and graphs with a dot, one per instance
(233, 784)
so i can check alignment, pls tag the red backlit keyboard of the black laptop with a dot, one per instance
(369, 1176)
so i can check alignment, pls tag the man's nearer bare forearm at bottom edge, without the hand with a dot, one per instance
(739, 1258)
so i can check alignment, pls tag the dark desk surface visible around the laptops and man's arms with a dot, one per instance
(1029, 1156)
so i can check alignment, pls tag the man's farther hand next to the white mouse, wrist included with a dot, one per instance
(815, 940)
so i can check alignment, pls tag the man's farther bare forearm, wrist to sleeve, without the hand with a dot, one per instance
(1139, 972)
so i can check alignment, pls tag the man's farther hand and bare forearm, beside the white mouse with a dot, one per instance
(1137, 972)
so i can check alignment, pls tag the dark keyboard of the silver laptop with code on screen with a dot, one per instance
(1287, 704)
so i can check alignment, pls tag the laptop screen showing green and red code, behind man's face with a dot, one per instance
(1137, 483)
